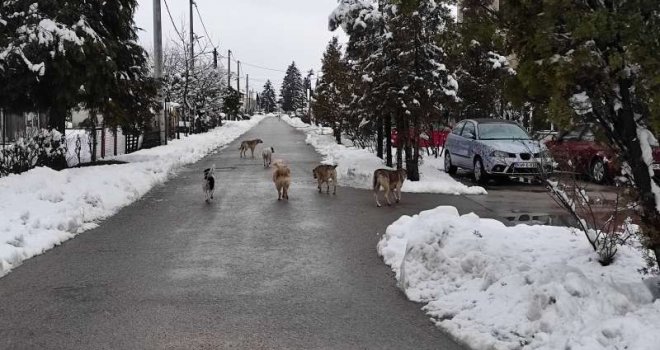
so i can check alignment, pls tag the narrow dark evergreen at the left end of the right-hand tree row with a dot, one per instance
(331, 92)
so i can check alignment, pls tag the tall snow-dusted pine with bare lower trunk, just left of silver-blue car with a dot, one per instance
(418, 69)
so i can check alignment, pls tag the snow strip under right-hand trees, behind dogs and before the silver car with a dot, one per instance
(355, 166)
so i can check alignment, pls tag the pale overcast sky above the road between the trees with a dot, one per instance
(269, 33)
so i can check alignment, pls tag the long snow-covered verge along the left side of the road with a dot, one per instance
(42, 207)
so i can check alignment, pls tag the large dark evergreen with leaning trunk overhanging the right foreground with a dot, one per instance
(596, 61)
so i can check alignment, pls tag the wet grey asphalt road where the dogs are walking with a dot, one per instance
(245, 272)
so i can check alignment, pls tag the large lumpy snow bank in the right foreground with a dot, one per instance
(537, 287)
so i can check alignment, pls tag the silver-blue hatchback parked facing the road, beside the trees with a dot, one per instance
(495, 148)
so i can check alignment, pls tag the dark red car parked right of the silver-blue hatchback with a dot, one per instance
(578, 150)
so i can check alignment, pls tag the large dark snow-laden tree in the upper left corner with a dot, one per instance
(57, 55)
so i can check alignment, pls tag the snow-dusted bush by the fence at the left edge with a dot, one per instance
(42, 148)
